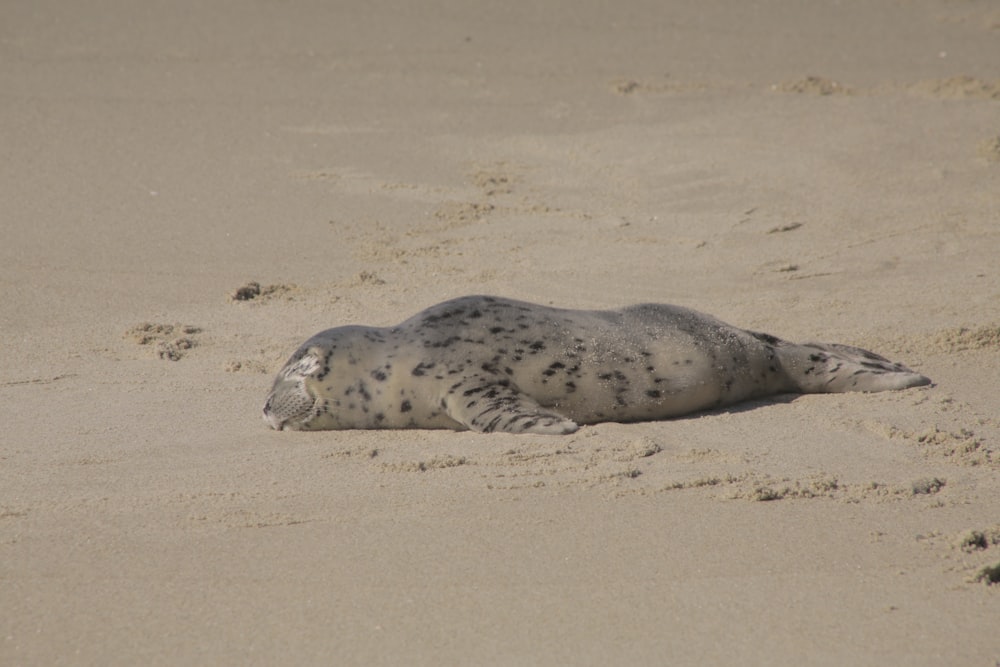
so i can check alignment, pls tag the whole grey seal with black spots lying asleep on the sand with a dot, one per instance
(486, 363)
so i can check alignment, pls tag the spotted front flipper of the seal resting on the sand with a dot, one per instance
(487, 404)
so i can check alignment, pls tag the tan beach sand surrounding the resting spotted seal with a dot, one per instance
(826, 173)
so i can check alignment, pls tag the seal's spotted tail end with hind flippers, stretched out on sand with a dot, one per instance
(830, 368)
